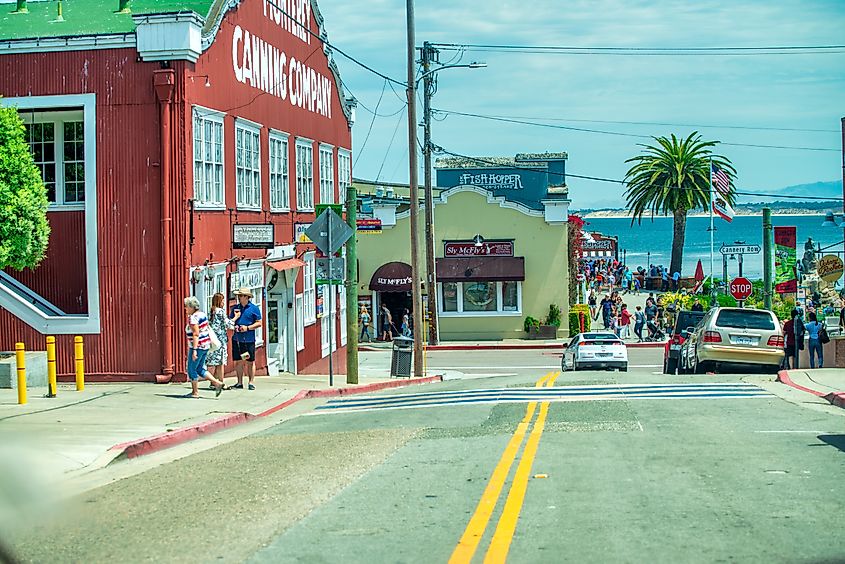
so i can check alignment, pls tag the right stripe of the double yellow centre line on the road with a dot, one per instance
(500, 544)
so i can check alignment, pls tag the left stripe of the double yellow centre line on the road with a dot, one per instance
(474, 531)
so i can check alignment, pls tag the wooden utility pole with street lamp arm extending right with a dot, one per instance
(429, 53)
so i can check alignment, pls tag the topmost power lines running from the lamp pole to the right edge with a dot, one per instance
(648, 51)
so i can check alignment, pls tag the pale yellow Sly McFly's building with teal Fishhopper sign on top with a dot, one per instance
(500, 238)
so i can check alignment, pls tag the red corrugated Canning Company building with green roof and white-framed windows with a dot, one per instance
(184, 147)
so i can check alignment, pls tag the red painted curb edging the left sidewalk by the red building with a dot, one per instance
(147, 445)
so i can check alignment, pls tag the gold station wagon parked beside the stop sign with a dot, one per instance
(731, 335)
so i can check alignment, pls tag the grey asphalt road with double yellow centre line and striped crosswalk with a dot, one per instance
(611, 467)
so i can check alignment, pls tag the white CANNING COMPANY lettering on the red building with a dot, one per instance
(266, 68)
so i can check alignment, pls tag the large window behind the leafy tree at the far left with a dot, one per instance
(57, 142)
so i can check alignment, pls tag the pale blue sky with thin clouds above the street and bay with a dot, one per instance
(804, 91)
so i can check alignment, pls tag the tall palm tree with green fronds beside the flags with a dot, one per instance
(673, 177)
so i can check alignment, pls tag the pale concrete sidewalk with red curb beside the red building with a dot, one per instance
(82, 431)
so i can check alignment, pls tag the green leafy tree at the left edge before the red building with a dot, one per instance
(24, 231)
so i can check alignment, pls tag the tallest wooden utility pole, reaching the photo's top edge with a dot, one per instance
(416, 292)
